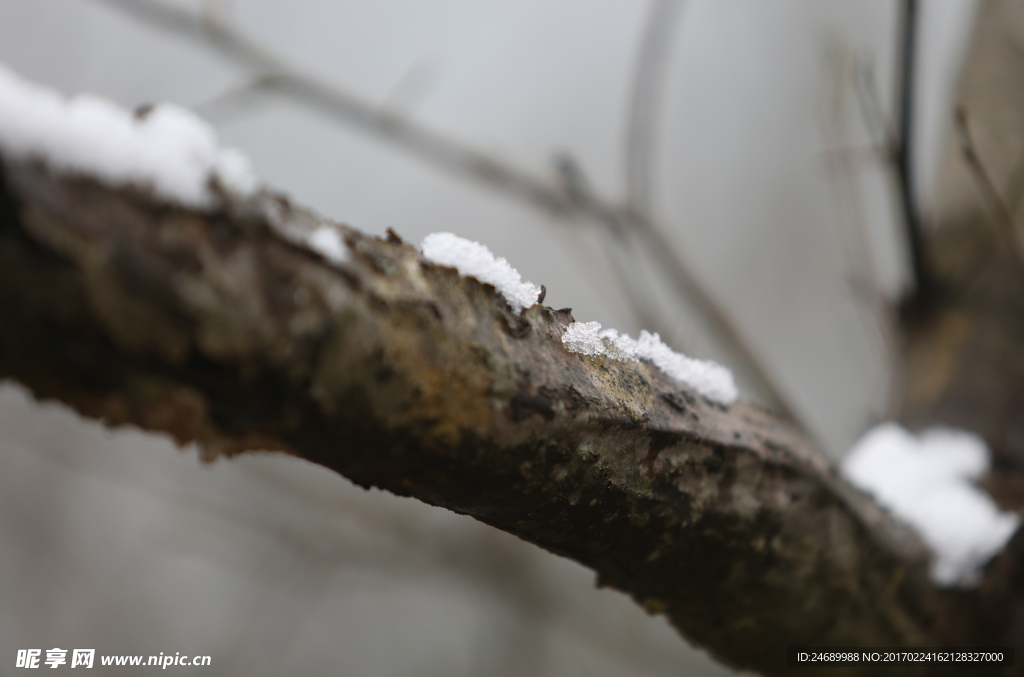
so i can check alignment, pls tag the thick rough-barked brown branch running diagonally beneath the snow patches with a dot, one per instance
(224, 328)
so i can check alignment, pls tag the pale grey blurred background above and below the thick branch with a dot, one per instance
(765, 173)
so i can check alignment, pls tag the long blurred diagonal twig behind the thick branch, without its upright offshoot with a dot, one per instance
(274, 74)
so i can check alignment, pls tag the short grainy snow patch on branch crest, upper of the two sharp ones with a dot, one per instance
(475, 261)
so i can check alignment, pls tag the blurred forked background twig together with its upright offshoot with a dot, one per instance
(276, 75)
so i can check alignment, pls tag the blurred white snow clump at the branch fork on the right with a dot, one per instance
(927, 482)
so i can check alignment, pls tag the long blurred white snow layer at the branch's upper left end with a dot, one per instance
(170, 151)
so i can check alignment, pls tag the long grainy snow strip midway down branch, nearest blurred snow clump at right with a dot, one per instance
(708, 378)
